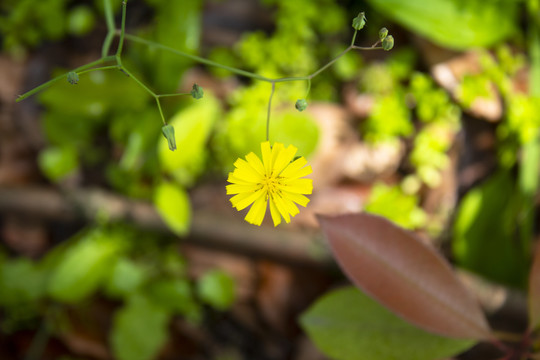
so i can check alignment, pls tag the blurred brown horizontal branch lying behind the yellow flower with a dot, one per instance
(215, 230)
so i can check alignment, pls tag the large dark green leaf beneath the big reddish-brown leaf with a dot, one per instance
(346, 324)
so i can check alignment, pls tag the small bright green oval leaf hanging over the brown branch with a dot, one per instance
(172, 203)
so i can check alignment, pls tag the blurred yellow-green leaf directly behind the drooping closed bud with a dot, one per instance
(192, 127)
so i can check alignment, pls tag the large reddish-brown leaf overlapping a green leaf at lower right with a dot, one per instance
(404, 274)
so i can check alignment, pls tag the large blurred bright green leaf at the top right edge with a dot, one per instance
(456, 24)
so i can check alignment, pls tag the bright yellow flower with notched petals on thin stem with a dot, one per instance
(276, 180)
